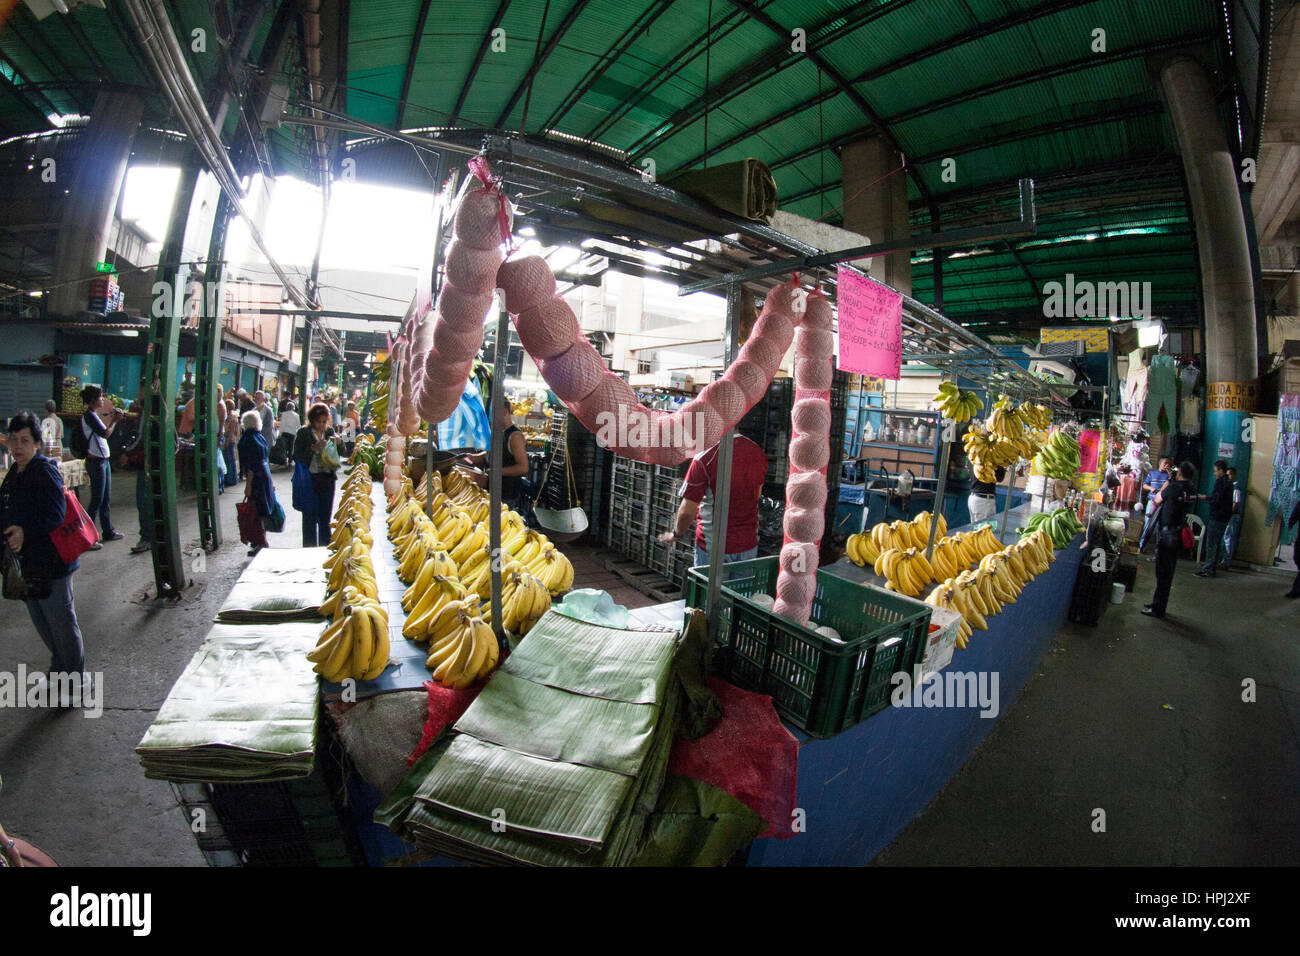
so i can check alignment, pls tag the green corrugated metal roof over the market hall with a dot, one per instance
(1008, 88)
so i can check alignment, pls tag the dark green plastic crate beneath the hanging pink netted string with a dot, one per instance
(818, 685)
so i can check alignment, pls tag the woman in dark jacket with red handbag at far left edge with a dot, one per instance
(32, 505)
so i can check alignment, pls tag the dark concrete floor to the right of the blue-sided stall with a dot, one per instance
(1146, 721)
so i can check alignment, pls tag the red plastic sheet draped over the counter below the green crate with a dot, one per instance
(749, 754)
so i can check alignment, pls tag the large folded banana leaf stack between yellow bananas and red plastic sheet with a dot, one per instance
(560, 762)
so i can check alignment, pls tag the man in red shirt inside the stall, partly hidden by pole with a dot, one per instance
(749, 469)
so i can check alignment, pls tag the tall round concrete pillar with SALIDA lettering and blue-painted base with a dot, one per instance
(1224, 249)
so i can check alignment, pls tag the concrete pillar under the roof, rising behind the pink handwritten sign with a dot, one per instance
(876, 205)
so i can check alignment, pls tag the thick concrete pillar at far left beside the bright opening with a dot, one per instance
(93, 191)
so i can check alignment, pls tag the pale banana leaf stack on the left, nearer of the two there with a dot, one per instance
(244, 711)
